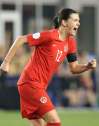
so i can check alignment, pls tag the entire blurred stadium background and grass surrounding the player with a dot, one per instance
(76, 97)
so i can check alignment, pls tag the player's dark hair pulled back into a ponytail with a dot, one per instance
(63, 14)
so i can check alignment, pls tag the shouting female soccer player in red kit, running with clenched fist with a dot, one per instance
(51, 48)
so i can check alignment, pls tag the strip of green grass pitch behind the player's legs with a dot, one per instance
(69, 117)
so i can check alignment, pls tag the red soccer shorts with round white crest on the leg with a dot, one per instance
(34, 103)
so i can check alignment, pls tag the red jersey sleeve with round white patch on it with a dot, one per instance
(38, 38)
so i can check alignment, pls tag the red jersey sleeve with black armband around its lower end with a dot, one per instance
(72, 53)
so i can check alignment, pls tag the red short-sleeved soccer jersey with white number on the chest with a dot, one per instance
(49, 53)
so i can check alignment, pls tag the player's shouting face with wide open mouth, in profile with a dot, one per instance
(73, 24)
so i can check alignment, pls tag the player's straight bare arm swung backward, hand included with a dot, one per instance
(8, 58)
